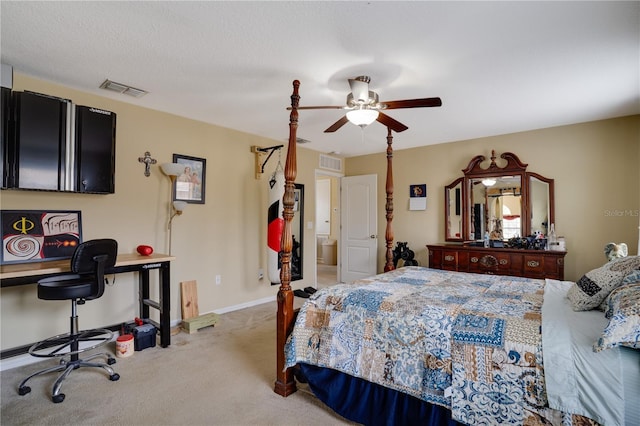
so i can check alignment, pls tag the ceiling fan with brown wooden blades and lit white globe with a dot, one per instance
(363, 107)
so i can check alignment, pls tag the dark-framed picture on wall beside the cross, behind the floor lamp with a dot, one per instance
(189, 185)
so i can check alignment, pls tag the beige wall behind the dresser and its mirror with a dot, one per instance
(597, 185)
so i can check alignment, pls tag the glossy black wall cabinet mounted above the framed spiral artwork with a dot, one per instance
(59, 146)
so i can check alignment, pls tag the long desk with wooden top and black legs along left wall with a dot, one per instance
(30, 273)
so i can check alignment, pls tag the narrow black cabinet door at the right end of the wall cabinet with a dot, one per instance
(96, 137)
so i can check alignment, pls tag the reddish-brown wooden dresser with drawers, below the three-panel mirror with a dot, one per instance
(499, 261)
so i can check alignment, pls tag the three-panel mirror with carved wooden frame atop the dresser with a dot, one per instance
(501, 199)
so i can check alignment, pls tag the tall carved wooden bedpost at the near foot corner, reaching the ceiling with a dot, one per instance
(285, 383)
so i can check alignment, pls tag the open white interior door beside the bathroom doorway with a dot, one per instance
(359, 219)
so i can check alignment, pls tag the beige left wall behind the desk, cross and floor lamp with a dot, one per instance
(226, 236)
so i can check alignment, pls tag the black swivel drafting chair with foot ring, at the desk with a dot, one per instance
(87, 282)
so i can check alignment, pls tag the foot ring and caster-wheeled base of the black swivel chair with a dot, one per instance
(68, 346)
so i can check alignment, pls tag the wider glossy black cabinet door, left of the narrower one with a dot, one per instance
(40, 137)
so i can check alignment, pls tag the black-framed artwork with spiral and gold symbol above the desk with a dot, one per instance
(39, 235)
